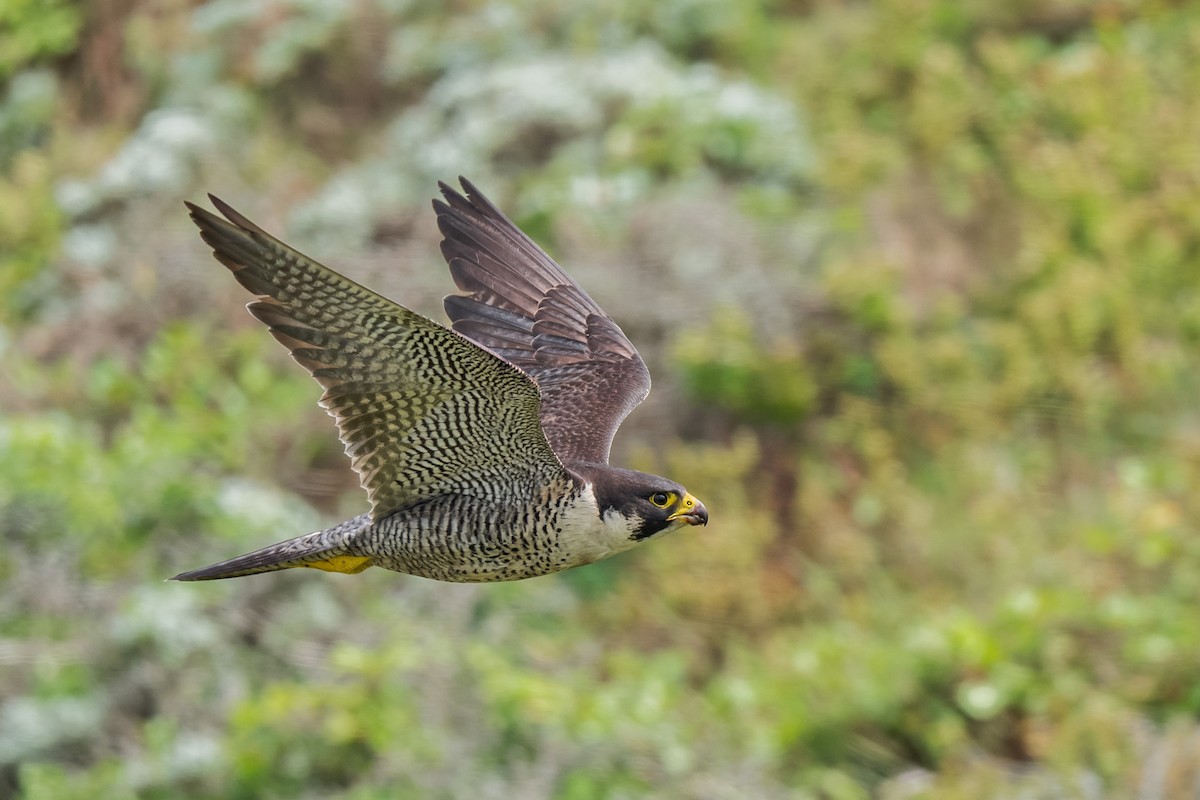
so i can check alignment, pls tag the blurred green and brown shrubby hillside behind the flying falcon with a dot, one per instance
(920, 286)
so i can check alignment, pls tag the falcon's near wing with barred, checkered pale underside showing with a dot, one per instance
(422, 411)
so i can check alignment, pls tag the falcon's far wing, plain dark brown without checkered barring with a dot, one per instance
(523, 306)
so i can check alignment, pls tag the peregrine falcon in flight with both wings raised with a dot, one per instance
(483, 447)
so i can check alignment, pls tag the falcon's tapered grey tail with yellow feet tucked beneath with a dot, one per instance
(325, 550)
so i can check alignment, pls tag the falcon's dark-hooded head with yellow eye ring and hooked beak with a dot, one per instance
(647, 506)
